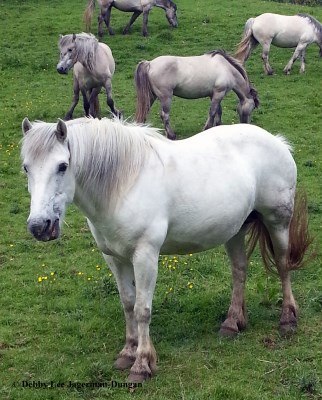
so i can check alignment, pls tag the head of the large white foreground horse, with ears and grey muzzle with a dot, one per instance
(51, 182)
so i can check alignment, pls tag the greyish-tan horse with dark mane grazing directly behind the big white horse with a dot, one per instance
(212, 75)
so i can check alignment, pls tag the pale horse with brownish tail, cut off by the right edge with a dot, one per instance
(297, 31)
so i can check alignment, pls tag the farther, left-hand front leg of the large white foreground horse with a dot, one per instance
(124, 275)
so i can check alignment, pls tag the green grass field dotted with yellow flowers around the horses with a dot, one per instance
(61, 319)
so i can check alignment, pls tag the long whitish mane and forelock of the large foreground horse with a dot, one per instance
(106, 155)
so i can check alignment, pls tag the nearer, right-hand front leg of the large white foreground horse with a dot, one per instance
(145, 262)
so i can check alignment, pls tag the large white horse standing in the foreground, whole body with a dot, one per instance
(141, 195)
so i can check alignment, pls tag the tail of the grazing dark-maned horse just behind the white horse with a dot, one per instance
(144, 92)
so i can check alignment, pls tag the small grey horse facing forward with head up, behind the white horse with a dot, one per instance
(94, 67)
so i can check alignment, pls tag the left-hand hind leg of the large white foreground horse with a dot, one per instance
(236, 317)
